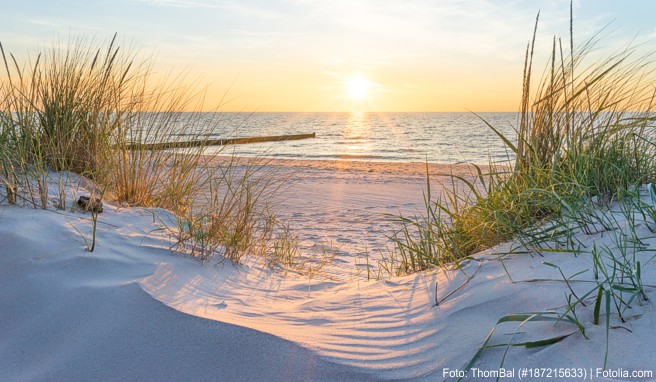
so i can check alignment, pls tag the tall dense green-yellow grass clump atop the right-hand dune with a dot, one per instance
(584, 139)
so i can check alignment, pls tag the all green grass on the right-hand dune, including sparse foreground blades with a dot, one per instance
(583, 151)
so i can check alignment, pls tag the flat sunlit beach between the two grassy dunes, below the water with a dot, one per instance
(348, 208)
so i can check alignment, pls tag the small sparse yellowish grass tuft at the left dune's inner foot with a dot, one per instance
(231, 214)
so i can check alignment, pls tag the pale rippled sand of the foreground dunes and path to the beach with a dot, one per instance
(132, 310)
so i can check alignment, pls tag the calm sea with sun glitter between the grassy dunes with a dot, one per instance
(387, 137)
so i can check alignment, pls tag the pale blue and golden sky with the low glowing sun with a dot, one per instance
(334, 55)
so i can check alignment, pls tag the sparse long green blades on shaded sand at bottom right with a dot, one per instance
(610, 292)
